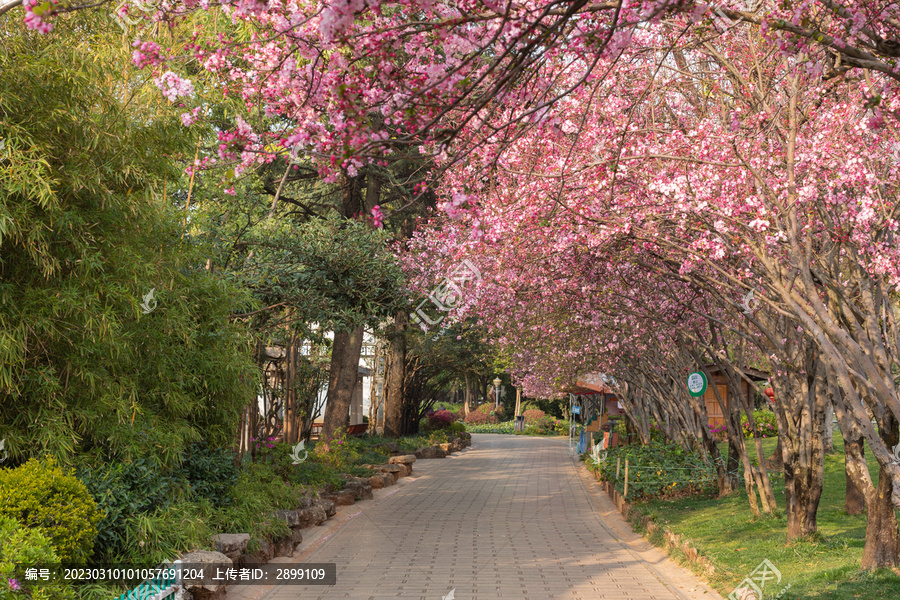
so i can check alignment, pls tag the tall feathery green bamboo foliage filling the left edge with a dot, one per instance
(89, 159)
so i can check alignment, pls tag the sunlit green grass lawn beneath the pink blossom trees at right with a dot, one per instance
(826, 567)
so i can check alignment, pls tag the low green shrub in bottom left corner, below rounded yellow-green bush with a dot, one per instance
(22, 548)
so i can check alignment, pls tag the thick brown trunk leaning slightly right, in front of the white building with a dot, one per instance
(341, 382)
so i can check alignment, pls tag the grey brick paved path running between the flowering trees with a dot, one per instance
(507, 518)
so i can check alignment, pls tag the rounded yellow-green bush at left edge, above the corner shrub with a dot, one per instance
(40, 495)
